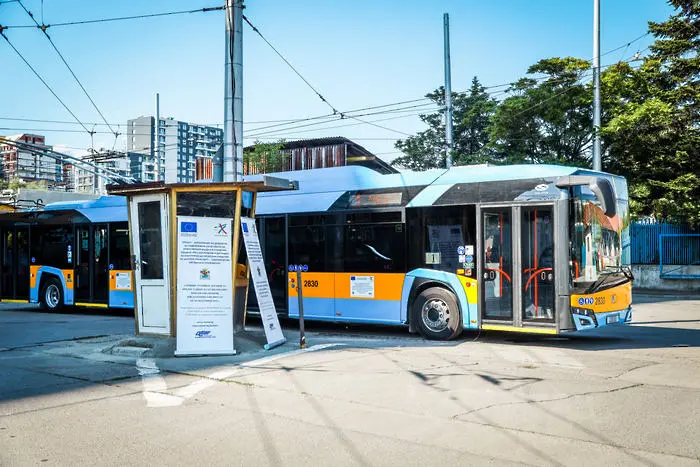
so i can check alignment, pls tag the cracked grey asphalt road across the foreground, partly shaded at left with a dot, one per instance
(360, 396)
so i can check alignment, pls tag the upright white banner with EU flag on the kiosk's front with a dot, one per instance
(204, 286)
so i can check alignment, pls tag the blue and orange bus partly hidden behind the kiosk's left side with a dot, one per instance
(68, 253)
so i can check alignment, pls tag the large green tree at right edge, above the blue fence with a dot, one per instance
(653, 132)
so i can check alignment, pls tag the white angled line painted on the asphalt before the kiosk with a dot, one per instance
(155, 386)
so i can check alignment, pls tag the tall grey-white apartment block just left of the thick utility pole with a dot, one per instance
(179, 145)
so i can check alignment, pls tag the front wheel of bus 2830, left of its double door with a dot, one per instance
(437, 314)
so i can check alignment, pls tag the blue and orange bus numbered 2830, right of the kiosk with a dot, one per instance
(528, 248)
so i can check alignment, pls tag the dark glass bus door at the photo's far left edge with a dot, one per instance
(14, 263)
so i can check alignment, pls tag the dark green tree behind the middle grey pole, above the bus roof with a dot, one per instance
(471, 112)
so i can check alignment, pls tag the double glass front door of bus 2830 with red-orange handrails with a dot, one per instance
(517, 273)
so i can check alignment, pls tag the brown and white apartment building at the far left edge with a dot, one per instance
(30, 164)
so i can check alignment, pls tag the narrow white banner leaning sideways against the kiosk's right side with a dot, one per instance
(271, 324)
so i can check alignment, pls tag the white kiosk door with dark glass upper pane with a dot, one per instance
(150, 245)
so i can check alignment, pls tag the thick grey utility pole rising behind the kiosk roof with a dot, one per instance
(233, 94)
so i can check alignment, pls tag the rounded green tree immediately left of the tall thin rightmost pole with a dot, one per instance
(546, 119)
